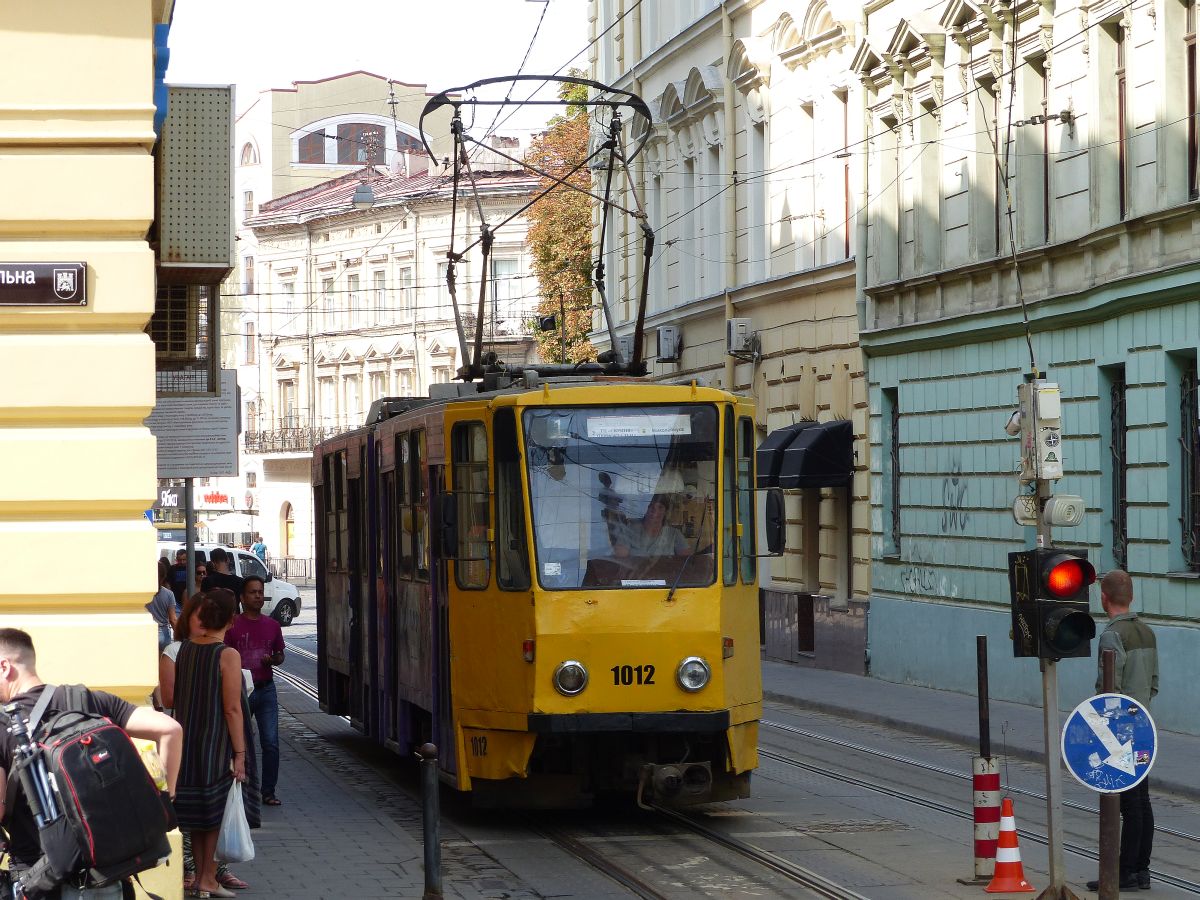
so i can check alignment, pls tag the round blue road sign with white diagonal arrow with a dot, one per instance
(1109, 743)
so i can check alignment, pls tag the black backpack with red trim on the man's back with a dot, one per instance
(115, 820)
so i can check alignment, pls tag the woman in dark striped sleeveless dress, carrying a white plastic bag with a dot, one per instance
(211, 704)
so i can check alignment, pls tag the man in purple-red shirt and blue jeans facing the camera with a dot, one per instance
(260, 640)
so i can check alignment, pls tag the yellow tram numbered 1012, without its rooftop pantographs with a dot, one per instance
(556, 583)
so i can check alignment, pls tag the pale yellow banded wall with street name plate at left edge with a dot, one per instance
(77, 465)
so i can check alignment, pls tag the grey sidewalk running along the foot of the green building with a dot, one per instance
(949, 716)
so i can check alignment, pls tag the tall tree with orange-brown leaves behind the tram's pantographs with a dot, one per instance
(561, 232)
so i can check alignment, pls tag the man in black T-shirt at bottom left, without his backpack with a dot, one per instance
(20, 685)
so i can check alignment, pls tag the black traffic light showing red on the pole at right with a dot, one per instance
(1049, 599)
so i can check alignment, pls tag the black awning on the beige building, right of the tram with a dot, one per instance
(808, 455)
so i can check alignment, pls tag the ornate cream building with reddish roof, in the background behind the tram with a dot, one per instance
(351, 307)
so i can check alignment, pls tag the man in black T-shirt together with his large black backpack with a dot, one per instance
(95, 818)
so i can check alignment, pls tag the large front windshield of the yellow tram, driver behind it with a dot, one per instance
(623, 497)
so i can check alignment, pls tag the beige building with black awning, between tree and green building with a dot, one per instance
(751, 182)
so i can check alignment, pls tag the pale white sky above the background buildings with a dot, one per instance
(443, 44)
